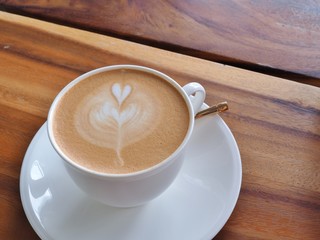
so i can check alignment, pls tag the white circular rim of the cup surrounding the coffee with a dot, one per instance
(150, 170)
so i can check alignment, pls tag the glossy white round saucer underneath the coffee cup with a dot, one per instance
(196, 205)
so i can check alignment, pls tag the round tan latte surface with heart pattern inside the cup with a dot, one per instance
(120, 121)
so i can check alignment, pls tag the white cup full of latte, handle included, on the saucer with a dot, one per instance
(121, 131)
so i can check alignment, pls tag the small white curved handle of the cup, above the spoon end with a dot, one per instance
(196, 94)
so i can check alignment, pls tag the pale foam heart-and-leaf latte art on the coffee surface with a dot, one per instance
(115, 117)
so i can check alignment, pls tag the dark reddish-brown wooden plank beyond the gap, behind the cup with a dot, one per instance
(277, 37)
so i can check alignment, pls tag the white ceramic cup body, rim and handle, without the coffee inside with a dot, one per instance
(136, 188)
